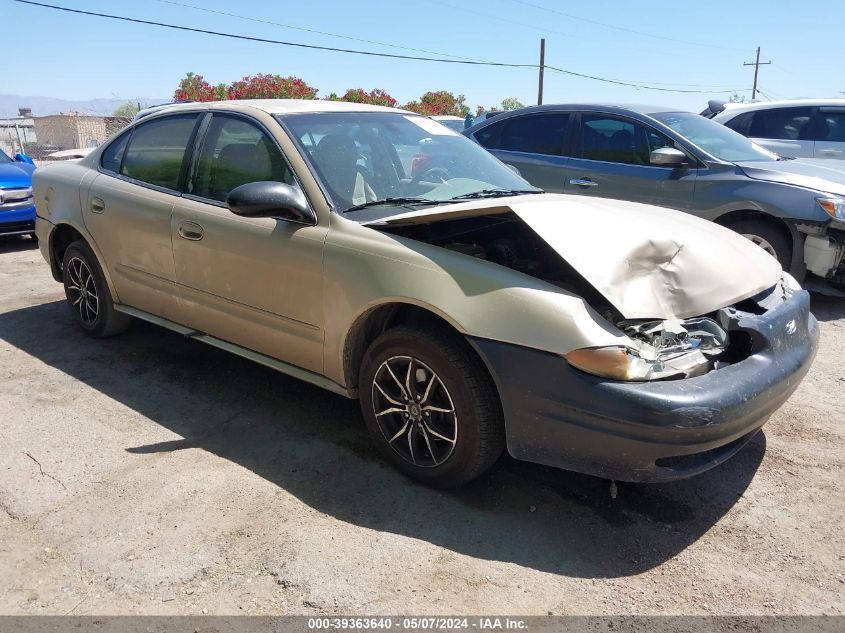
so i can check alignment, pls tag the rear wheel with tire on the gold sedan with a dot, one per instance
(88, 294)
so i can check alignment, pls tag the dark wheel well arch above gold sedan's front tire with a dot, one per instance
(370, 325)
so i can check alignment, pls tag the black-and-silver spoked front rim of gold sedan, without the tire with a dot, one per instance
(414, 411)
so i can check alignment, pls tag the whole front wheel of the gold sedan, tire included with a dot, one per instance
(430, 406)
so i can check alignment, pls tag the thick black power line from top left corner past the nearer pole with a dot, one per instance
(350, 51)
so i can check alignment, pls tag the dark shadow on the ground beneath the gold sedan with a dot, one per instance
(313, 444)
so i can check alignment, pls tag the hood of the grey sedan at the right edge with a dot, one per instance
(819, 174)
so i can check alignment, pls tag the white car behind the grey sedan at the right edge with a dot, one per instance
(798, 128)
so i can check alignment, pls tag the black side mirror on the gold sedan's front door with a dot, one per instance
(267, 199)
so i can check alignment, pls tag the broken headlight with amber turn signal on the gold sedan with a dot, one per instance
(660, 349)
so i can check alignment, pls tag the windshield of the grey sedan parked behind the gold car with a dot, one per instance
(714, 138)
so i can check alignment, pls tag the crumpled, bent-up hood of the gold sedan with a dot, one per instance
(647, 261)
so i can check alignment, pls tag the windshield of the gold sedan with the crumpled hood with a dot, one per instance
(366, 157)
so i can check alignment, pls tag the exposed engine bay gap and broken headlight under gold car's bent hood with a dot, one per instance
(662, 349)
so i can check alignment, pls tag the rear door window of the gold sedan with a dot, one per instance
(157, 150)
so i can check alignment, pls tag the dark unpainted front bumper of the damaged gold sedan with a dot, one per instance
(650, 431)
